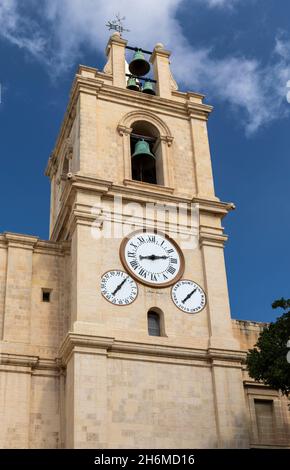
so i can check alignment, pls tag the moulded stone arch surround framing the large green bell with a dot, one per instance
(151, 126)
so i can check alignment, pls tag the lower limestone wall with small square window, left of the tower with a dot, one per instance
(31, 331)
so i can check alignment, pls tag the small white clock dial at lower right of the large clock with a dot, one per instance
(188, 296)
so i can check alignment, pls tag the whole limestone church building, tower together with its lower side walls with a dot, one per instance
(101, 344)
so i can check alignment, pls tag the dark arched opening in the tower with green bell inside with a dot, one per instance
(146, 156)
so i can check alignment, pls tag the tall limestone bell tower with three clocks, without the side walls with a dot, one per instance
(149, 355)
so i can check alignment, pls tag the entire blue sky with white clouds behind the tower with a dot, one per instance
(237, 52)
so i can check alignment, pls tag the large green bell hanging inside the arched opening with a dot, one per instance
(143, 162)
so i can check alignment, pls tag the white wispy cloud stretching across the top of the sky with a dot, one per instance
(64, 27)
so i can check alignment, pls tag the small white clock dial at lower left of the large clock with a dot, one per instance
(118, 288)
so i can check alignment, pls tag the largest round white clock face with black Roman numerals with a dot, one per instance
(152, 258)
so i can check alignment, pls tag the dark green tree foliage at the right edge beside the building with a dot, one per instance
(267, 361)
